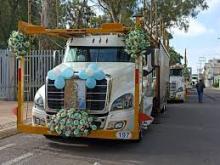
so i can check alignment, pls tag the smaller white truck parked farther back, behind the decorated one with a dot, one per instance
(177, 89)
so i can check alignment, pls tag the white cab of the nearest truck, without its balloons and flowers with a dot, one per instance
(111, 101)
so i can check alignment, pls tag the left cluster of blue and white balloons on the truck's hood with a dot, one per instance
(59, 74)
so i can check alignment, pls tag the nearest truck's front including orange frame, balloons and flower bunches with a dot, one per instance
(98, 91)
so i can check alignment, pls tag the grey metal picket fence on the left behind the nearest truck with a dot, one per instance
(37, 64)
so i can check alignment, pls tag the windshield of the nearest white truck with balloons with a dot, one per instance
(93, 54)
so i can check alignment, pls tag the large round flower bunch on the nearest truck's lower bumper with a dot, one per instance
(72, 123)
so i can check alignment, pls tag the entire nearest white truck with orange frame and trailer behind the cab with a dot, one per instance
(122, 102)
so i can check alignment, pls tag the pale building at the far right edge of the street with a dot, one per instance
(212, 72)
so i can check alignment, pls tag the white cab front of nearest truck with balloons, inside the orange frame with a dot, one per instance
(96, 77)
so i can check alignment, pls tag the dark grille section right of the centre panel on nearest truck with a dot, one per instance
(96, 97)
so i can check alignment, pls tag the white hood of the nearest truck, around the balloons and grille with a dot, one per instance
(121, 73)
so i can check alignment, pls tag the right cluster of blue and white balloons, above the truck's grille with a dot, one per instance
(91, 74)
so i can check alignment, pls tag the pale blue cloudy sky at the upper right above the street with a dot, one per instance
(201, 41)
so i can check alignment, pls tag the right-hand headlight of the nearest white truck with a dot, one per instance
(123, 102)
